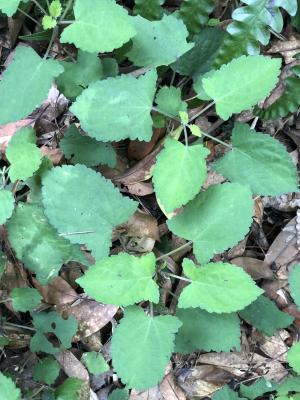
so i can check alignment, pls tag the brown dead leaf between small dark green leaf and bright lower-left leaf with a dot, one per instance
(57, 292)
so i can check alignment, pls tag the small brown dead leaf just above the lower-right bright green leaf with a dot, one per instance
(256, 268)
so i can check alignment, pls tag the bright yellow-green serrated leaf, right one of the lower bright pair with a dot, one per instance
(217, 287)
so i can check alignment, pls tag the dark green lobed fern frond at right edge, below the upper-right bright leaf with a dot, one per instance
(287, 103)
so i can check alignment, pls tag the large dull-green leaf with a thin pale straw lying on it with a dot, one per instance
(84, 207)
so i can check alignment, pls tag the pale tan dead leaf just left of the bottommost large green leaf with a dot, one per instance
(91, 316)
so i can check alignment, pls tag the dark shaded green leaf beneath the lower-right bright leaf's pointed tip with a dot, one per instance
(264, 315)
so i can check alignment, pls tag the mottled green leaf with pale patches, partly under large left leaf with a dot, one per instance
(37, 244)
